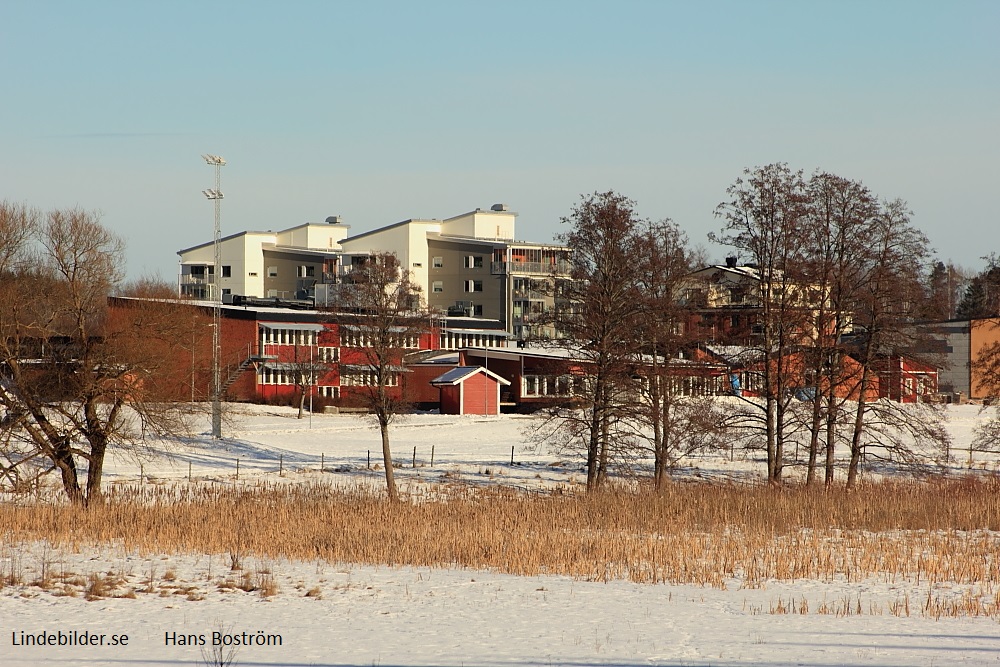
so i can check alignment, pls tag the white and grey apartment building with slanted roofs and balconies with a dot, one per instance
(468, 265)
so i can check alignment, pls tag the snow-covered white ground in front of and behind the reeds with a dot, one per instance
(344, 614)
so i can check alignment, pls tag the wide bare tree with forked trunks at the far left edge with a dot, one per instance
(77, 378)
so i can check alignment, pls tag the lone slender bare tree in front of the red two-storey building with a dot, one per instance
(383, 306)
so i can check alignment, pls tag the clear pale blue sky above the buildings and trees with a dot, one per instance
(383, 111)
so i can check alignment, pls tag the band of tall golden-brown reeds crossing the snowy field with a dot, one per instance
(689, 533)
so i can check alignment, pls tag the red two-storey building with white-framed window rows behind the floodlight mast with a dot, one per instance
(270, 351)
